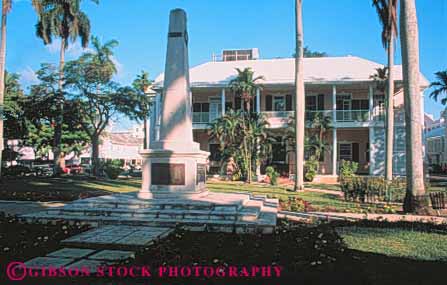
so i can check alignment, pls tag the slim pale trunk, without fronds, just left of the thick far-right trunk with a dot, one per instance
(390, 108)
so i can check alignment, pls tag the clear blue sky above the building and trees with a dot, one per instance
(337, 27)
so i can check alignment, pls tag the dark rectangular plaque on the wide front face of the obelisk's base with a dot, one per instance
(168, 174)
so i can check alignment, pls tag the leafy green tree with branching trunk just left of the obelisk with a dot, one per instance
(96, 98)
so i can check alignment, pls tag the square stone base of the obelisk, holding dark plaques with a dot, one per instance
(169, 174)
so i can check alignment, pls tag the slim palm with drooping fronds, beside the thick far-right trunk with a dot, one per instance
(387, 11)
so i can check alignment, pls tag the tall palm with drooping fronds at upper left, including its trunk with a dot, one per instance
(64, 20)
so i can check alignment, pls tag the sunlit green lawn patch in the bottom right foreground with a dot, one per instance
(396, 242)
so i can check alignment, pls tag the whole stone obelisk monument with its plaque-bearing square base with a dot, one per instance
(174, 166)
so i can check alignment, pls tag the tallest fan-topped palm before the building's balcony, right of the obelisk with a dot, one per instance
(244, 86)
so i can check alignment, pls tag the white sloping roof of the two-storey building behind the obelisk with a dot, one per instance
(322, 70)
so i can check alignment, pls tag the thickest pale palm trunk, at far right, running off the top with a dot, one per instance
(416, 200)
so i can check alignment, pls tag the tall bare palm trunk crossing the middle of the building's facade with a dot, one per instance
(299, 100)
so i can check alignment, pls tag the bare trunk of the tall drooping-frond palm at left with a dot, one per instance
(59, 160)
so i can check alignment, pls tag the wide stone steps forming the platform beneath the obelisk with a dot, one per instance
(216, 212)
